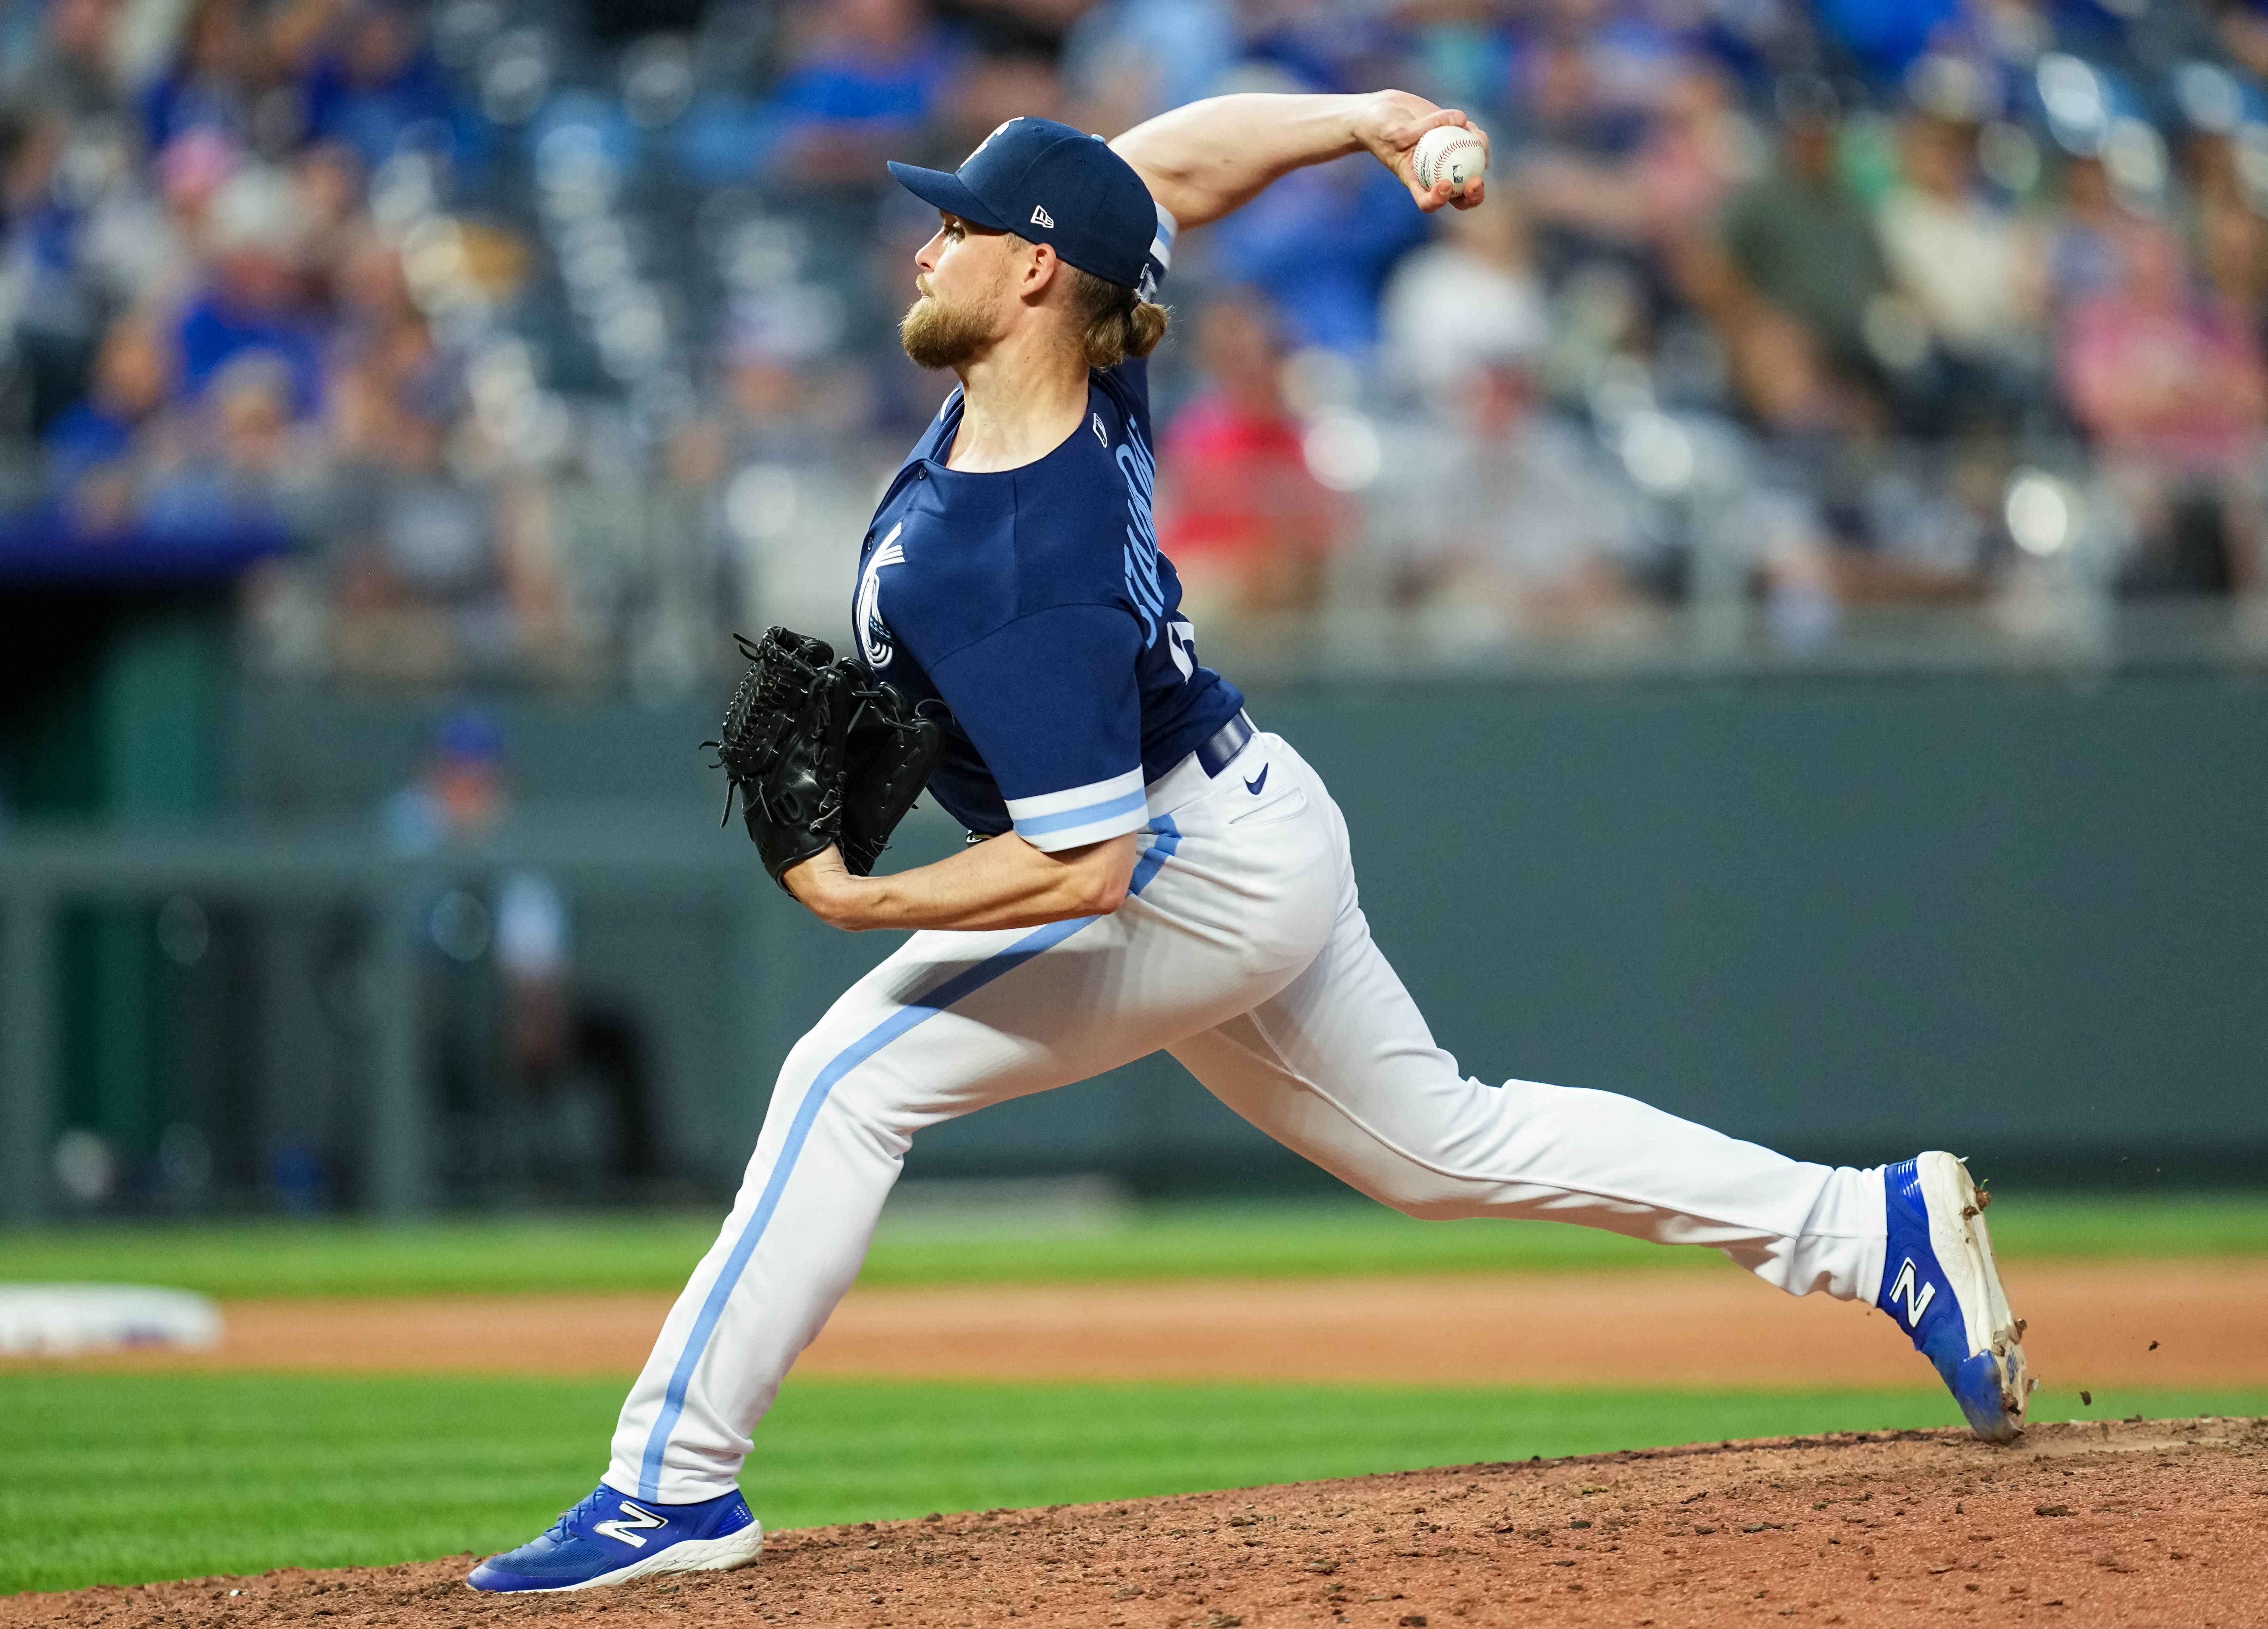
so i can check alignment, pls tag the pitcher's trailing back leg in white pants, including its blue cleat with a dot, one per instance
(1344, 1070)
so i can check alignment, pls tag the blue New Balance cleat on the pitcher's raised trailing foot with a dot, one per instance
(1943, 1288)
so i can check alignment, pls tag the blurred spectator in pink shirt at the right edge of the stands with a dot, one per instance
(2174, 396)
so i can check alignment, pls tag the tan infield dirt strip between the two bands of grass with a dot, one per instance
(2094, 1324)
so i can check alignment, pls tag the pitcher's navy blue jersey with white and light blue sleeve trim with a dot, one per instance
(1035, 605)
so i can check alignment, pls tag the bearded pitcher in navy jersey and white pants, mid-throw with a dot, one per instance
(1153, 872)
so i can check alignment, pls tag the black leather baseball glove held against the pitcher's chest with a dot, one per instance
(820, 754)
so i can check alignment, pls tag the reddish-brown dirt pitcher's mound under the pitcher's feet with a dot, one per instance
(2138, 1524)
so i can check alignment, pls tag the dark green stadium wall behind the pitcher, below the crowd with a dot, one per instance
(2026, 920)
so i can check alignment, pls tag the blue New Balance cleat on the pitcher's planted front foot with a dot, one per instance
(611, 1539)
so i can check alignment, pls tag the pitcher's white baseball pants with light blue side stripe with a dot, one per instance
(1242, 949)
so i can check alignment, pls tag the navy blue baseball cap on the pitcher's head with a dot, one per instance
(1060, 187)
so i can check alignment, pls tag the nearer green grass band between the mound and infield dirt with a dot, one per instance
(126, 1478)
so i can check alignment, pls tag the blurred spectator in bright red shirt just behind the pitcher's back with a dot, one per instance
(1242, 518)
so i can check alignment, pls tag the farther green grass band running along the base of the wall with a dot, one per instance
(1314, 1240)
